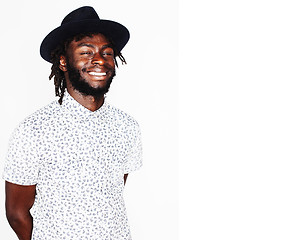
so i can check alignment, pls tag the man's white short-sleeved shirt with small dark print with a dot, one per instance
(77, 159)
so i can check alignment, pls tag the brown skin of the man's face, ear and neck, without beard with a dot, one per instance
(94, 55)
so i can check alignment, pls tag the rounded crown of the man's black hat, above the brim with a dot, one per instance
(80, 14)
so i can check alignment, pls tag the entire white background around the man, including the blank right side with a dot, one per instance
(237, 119)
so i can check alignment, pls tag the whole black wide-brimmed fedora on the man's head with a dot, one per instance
(83, 20)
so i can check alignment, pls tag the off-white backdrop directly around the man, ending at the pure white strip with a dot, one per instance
(146, 88)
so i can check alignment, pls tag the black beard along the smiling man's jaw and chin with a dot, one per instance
(81, 85)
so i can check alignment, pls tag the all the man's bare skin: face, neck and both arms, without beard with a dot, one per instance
(90, 53)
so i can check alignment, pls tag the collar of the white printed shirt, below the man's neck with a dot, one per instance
(76, 109)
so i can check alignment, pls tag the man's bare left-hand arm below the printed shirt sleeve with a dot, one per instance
(19, 200)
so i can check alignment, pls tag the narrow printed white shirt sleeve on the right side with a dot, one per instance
(134, 158)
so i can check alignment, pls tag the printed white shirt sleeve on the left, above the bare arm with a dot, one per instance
(21, 164)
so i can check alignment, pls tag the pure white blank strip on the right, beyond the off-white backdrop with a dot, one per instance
(237, 106)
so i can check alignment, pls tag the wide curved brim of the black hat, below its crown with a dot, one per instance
(113, 30)
